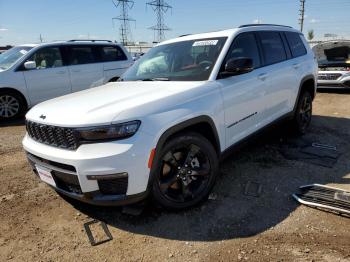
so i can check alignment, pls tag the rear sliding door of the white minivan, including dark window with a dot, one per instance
(85, 68)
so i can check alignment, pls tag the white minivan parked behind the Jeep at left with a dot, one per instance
(30, 74)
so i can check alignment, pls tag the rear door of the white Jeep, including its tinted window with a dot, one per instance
(281, 77)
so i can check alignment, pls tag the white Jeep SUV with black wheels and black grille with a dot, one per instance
(162, 128)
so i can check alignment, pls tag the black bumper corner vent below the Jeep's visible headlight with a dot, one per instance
(117, 186)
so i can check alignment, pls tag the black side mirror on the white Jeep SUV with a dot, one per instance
(237, 66)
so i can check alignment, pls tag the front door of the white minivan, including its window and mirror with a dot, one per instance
(50, 78)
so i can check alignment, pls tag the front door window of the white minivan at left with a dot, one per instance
(48, 57)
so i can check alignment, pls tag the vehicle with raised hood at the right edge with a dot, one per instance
(334, 64)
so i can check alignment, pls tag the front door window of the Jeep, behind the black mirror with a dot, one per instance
(245, 46)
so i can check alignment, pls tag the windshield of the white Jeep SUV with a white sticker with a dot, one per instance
(181, 61)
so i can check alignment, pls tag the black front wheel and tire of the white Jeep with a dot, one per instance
(185, 172)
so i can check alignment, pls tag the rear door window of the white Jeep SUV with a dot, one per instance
(273, 47)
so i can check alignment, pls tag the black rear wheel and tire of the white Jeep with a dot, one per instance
(303, 114)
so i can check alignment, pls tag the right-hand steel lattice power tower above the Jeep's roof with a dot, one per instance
(160, 7)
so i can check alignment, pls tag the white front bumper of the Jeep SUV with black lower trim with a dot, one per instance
(81, 174)
